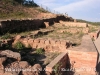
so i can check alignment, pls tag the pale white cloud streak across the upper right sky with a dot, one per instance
(82, 5)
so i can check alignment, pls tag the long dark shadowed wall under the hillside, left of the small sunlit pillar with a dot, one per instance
(20, 25)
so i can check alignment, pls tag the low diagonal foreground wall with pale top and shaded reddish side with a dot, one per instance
(59, 63)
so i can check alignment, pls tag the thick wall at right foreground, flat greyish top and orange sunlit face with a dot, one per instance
(84, 58)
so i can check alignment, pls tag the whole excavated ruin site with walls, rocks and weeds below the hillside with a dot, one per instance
(51, 46)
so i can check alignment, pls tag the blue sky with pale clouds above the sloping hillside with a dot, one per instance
(80, 9)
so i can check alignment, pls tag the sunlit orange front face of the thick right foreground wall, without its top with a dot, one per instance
(83, 62)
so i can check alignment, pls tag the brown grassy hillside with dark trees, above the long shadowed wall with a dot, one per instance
(14, 9)
